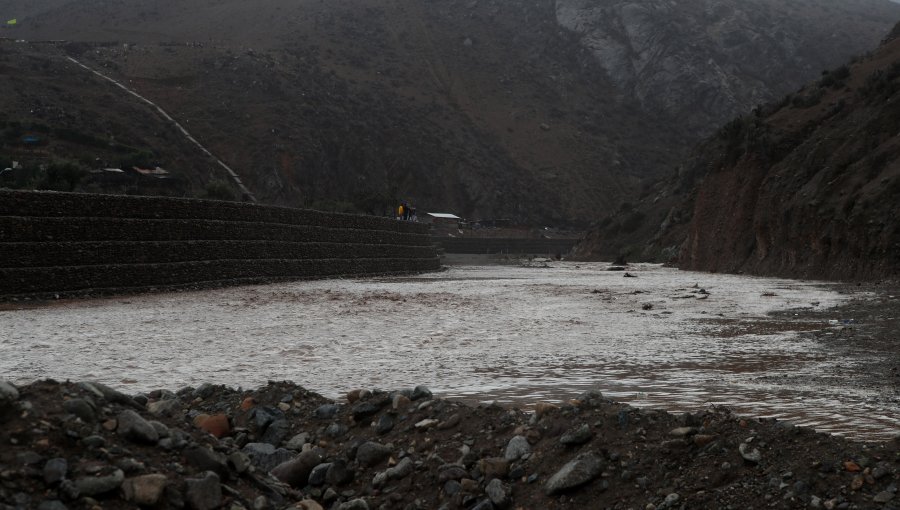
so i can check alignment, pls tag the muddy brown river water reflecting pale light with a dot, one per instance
(665, 338)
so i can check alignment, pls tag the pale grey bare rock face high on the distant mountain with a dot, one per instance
(705, 62)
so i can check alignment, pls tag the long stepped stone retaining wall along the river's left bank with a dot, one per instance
(69, 243)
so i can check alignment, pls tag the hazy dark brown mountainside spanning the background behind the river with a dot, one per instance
(540, 111)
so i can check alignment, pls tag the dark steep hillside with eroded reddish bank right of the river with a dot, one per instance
(805, 187)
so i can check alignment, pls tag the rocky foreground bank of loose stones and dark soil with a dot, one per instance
(84, 445)
